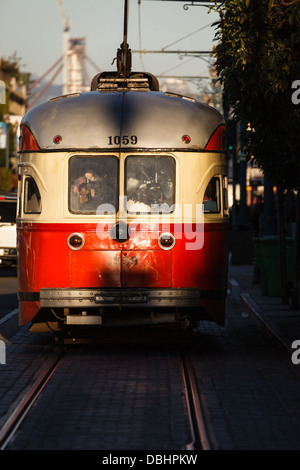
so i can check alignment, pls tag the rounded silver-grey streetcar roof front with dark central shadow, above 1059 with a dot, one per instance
(94, 119)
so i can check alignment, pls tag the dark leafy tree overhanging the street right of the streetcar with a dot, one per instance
(258, 60)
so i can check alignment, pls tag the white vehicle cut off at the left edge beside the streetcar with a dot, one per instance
(8, 233)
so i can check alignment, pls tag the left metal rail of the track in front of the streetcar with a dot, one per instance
(15, 419)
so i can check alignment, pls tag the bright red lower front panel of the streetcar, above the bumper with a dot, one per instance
(45, 260)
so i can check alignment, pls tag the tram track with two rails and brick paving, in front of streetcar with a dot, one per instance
(194, 438)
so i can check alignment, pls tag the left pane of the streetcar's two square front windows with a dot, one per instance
(93, 184)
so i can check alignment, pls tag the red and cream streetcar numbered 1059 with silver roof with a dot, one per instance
(122, 208)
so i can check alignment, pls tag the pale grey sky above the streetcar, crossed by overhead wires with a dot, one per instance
(33, 29)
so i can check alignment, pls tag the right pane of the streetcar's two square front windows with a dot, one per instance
(150, 184)
